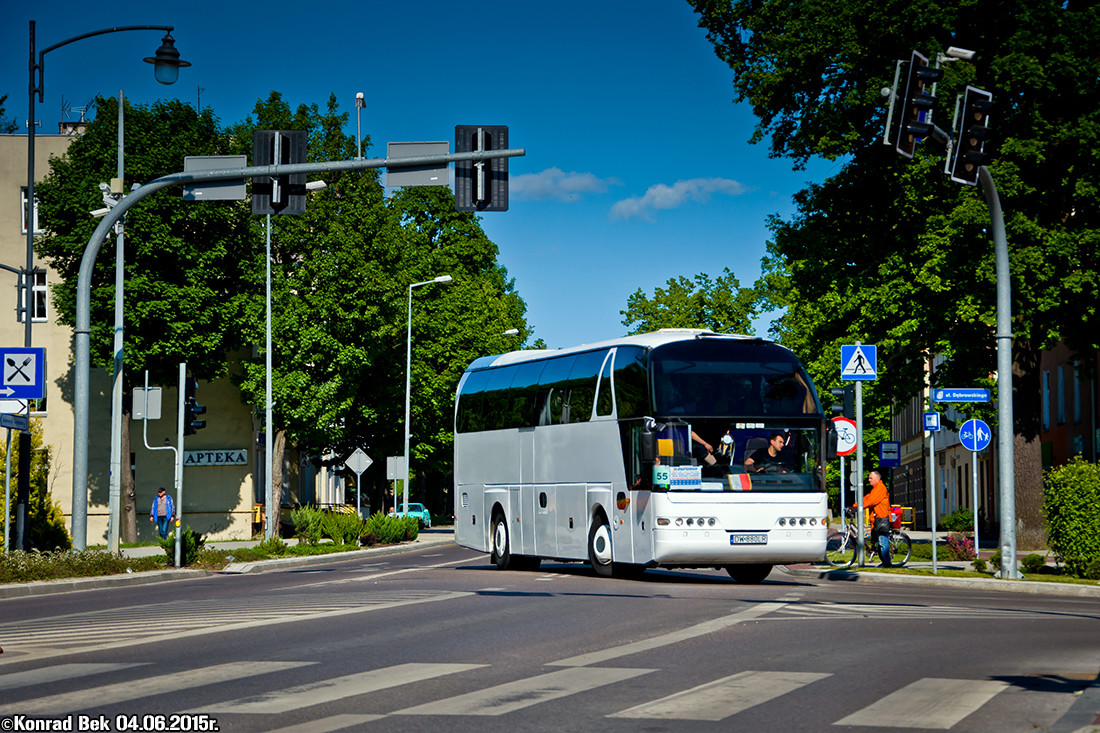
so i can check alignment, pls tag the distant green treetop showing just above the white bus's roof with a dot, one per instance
(721, 305)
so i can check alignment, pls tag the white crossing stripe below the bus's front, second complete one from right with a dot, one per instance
(723, 698)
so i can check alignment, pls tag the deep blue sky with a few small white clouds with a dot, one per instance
(639, 167)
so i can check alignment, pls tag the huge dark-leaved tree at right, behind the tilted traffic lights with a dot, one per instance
(893, 253)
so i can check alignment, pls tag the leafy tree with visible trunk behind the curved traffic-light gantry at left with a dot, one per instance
(181, 258)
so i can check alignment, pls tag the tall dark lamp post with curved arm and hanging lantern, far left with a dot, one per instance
(167, 64)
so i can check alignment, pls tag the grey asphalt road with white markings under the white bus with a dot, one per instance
(439, 639)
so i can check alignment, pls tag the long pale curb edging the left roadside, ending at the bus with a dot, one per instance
(123, 581)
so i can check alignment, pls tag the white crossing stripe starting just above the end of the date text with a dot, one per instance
(331, 691)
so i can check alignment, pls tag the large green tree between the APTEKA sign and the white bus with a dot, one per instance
(340, 279)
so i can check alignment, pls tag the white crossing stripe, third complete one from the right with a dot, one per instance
(525, 693)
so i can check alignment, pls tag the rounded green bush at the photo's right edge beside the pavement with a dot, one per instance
(1071, 497)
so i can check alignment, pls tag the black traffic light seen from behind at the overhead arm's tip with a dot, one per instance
(481, 185)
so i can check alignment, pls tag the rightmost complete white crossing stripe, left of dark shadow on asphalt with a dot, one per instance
(928, 704)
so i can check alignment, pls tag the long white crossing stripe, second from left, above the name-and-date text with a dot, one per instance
(95, 697)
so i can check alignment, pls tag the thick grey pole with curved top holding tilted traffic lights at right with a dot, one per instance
(1006, 432)
